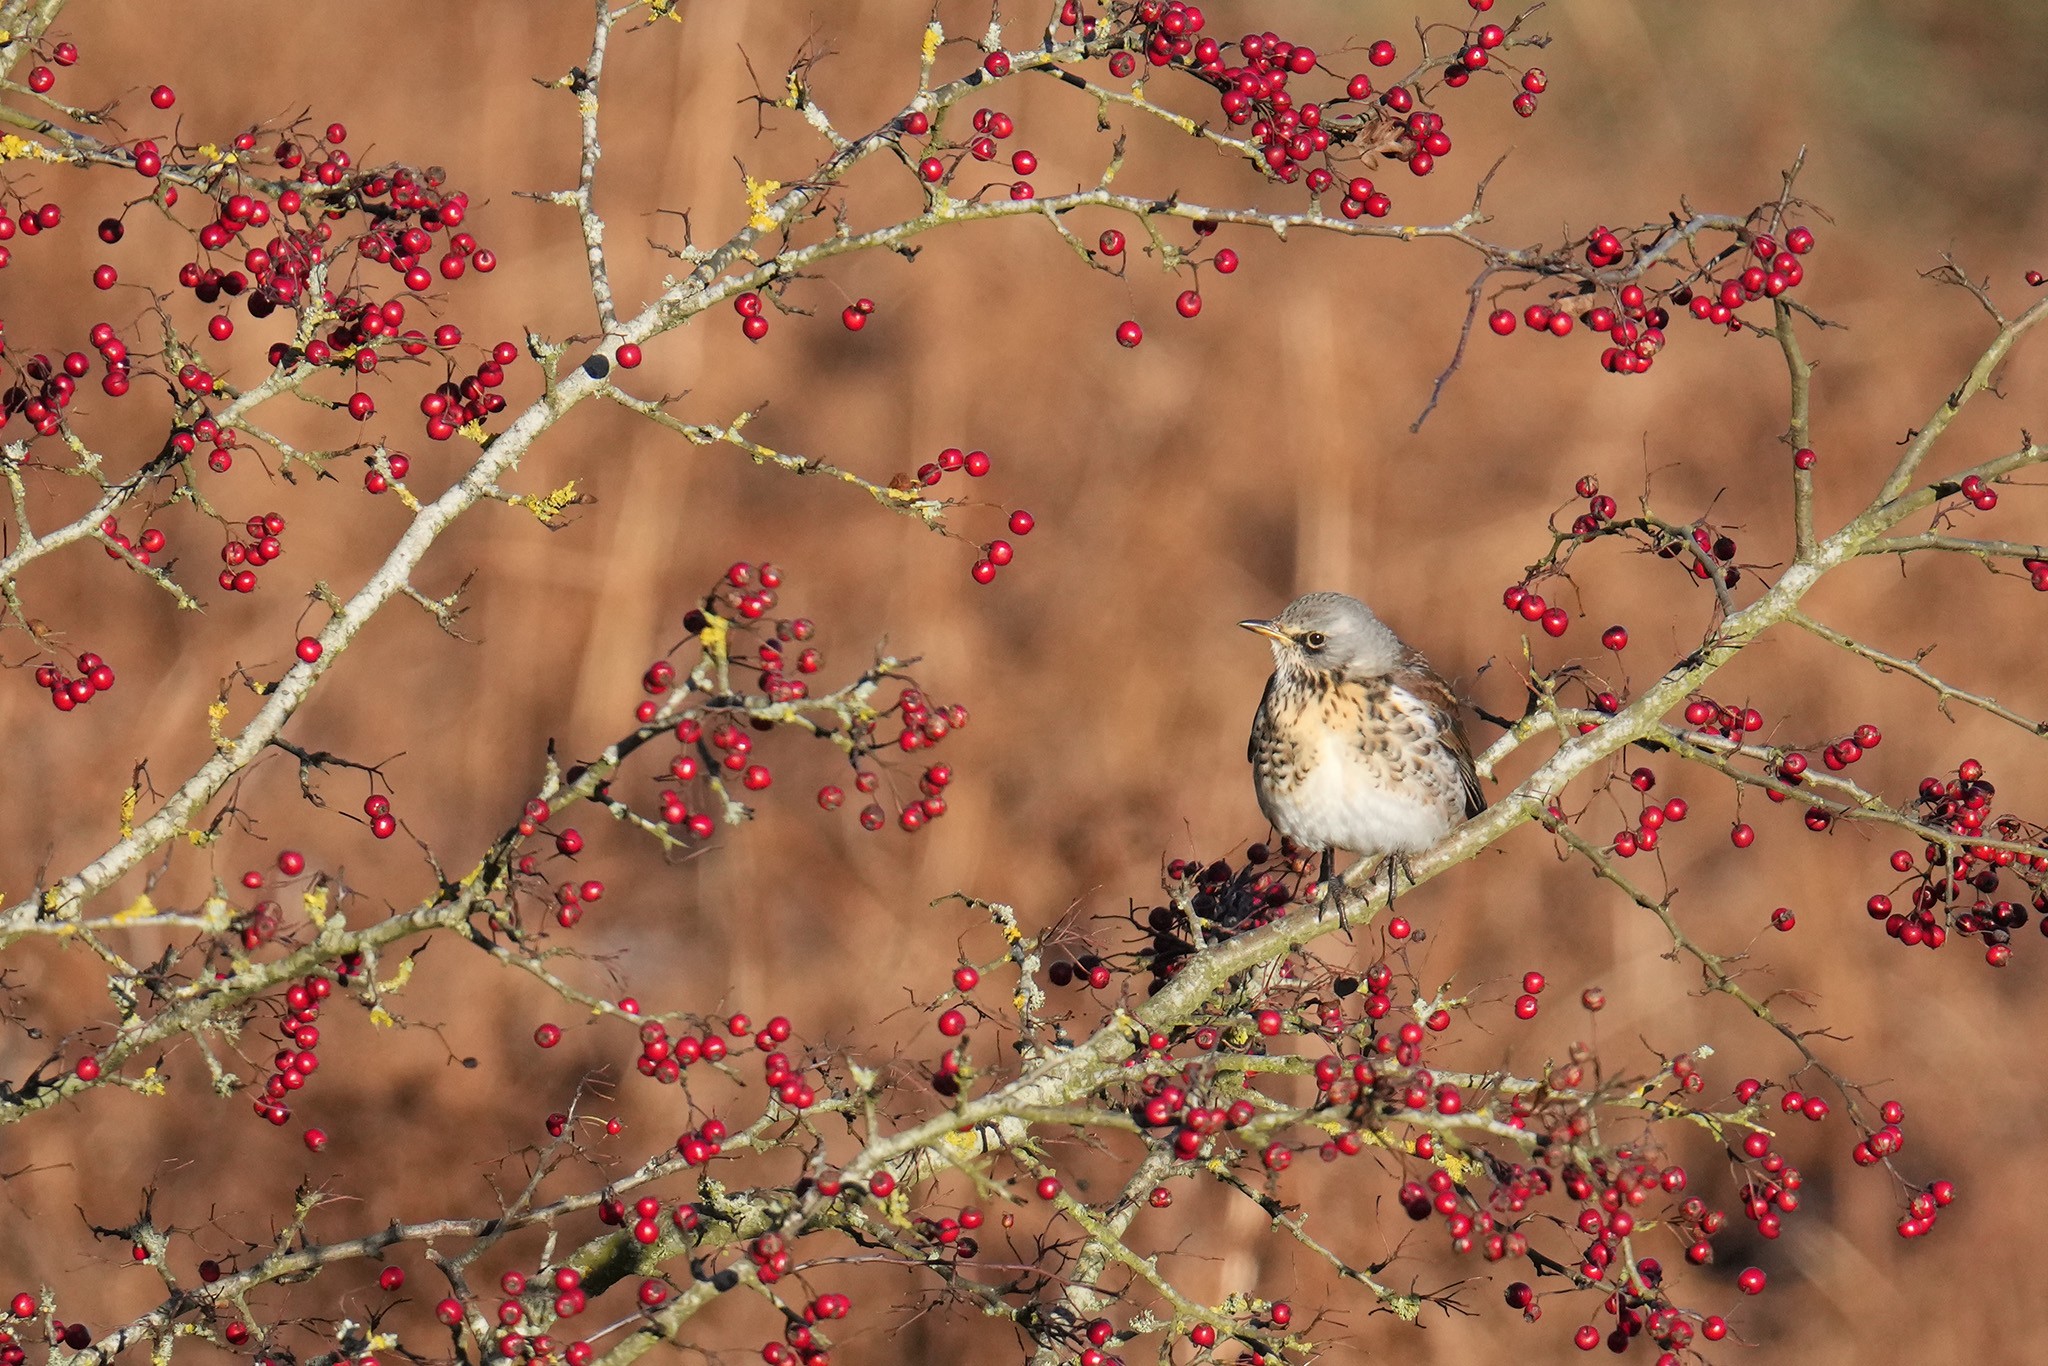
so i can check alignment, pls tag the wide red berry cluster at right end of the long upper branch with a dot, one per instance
(1635, 321)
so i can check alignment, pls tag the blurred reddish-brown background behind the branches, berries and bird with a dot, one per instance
(1207, 476)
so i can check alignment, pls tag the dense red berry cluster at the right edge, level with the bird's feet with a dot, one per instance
(1955, 892)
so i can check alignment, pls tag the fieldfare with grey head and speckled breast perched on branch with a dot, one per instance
(1357, 744)
